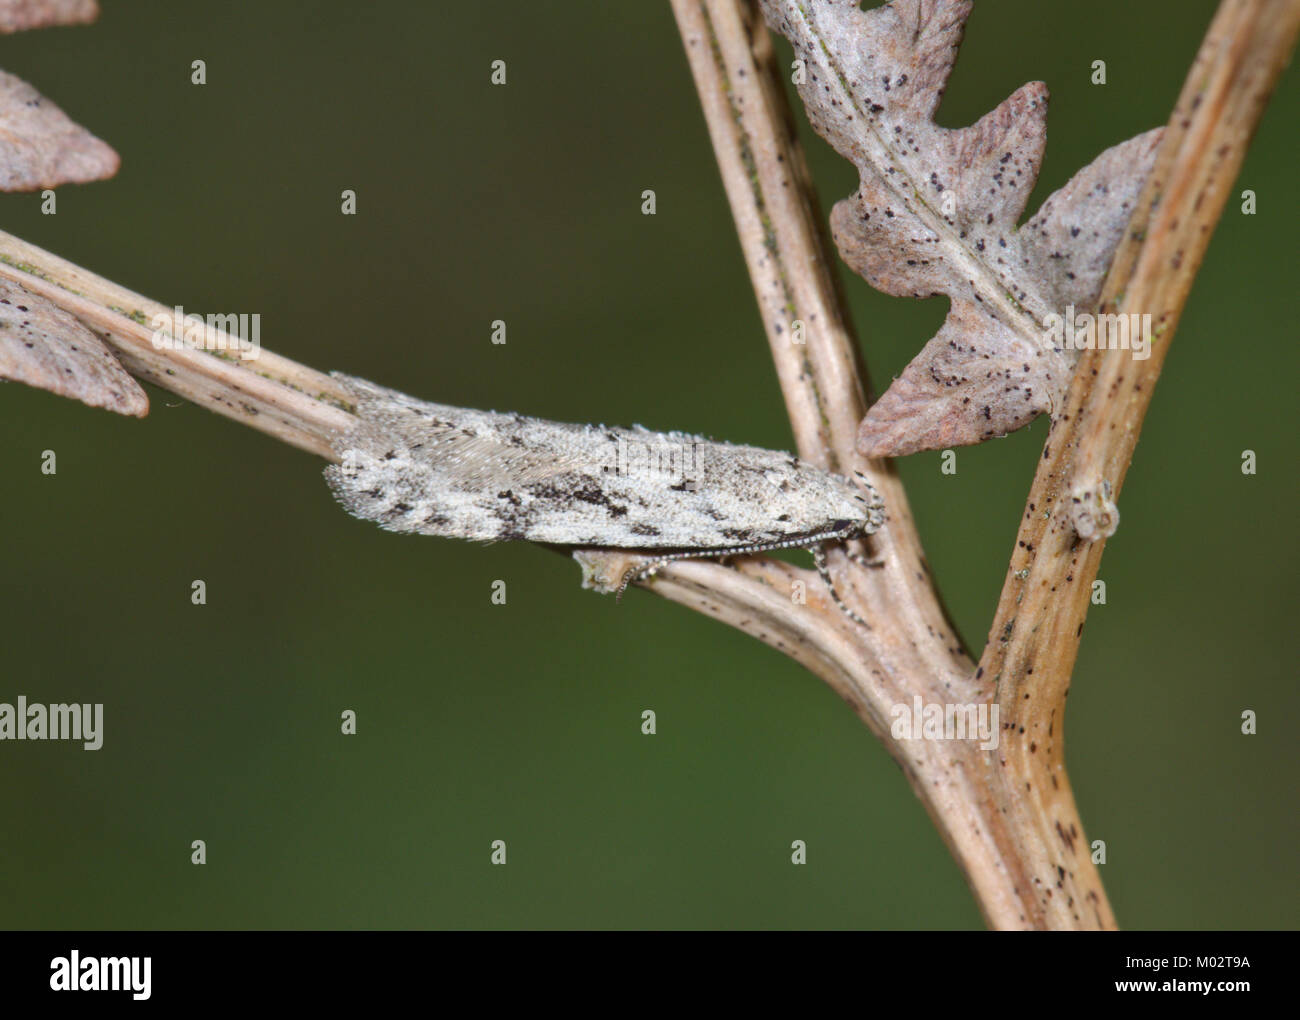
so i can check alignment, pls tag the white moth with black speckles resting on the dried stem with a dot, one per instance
(434, 470)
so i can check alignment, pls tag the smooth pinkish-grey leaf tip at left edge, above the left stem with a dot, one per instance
(40, 147)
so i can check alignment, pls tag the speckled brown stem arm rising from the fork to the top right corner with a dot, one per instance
(1034, 641)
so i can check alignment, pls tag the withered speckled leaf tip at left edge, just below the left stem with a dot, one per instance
(47, 348)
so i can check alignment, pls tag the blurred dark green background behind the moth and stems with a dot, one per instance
(522, 723)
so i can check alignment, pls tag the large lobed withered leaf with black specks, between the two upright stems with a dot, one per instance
(937, 212)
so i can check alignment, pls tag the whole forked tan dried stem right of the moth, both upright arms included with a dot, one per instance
(1008, 817)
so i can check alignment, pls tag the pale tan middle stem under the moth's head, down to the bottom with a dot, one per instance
(911, 650)
